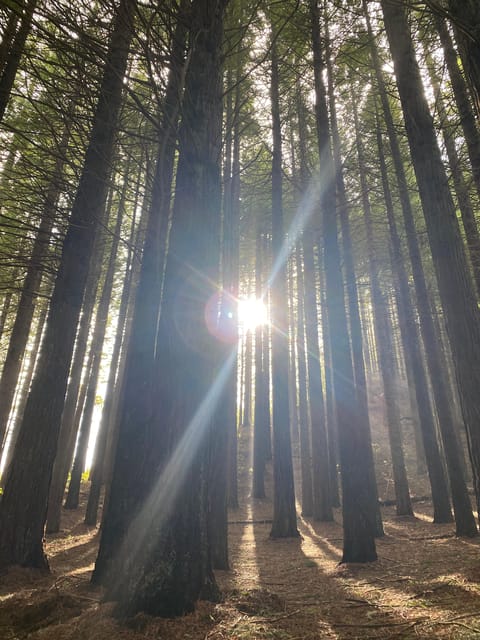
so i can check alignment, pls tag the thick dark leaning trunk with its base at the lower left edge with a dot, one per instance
(24, 504)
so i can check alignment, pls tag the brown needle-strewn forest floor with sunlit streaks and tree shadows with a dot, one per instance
(425, 584)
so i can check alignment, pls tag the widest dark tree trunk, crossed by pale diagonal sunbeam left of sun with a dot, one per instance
(159, 510)
